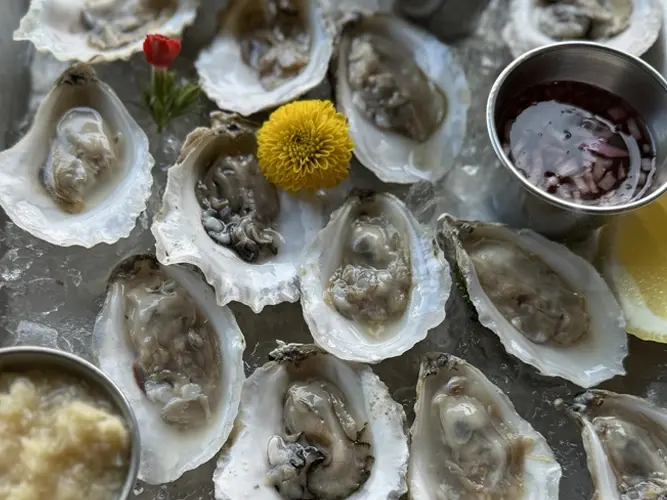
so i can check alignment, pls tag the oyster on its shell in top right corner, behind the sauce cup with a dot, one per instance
(628, 25)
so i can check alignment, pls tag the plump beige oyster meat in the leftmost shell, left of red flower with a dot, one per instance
(82, 152)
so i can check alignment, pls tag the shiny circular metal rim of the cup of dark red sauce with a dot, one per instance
(509, 165)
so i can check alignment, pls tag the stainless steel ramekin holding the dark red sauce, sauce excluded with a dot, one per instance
(520, 203)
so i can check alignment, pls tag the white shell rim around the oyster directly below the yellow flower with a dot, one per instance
(316, 311)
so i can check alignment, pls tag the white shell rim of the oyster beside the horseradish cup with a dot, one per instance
(226, 410)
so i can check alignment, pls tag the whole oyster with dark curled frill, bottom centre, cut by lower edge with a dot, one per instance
(312, 426)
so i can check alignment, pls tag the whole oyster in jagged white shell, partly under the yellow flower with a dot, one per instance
(219, 214)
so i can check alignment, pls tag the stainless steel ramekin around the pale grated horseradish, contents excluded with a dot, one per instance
(41, 358)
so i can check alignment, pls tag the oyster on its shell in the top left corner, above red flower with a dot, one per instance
(101, 30)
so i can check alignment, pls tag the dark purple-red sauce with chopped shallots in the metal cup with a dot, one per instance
(580, 143)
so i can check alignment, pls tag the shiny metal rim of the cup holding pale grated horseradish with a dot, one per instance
(111, 391)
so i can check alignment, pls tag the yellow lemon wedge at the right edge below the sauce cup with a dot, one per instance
(633, 260)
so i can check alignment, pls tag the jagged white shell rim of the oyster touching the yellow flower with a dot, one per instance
(238, 286)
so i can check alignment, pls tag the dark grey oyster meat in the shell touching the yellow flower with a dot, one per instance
(239, 206)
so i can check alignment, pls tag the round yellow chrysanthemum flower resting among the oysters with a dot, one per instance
(305, 145)
